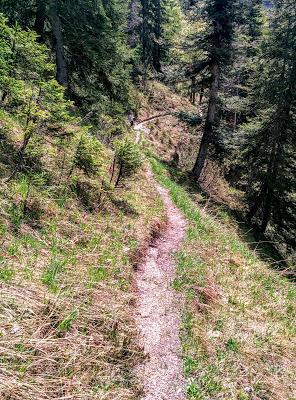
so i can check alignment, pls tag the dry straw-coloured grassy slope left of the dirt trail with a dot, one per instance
(66, 301)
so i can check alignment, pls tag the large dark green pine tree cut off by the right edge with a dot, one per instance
(270, 142)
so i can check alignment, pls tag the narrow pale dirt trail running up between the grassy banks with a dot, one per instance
(158, 312)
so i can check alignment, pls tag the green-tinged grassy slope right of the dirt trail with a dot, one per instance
(239, 318)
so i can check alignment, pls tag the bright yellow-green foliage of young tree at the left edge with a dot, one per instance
(29, 91)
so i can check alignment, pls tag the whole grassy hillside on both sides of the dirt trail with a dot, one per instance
(68, 296)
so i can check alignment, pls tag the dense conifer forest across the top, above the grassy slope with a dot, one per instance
(237, 56)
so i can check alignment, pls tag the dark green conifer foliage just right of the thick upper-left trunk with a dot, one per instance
(98, 61)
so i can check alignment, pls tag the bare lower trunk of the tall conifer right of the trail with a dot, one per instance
(207, 138)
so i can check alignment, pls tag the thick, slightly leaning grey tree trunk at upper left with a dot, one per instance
(62, 73)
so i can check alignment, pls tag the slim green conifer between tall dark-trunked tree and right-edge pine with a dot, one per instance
(237, 82)
